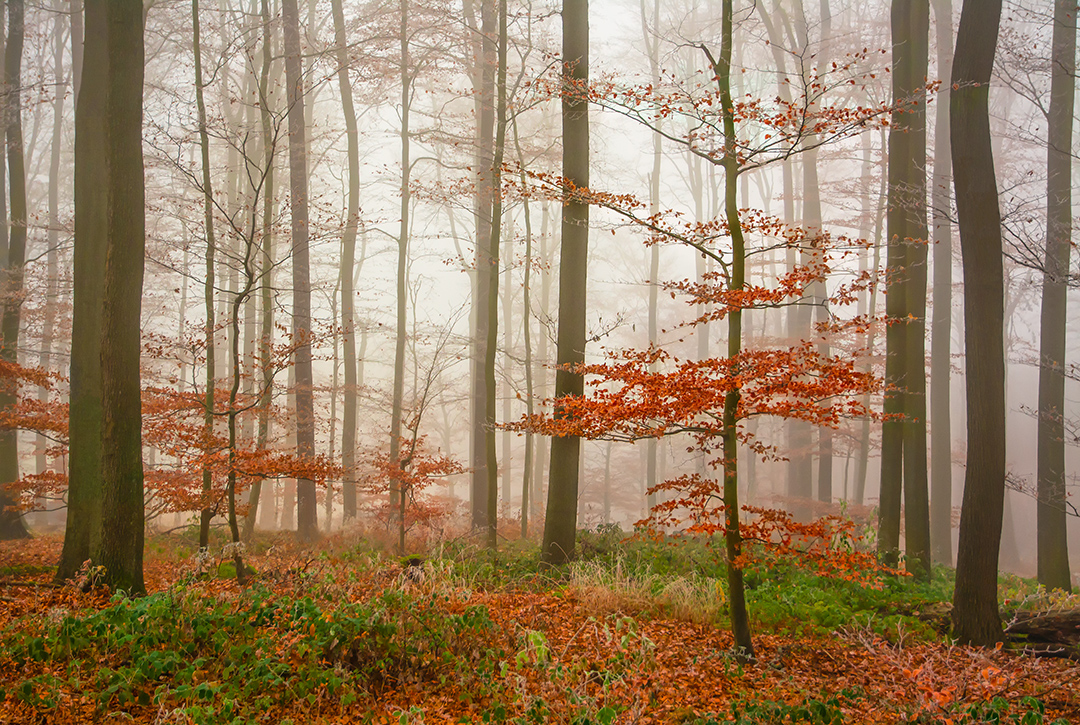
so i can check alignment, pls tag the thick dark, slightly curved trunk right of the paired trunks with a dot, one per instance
(976, 619)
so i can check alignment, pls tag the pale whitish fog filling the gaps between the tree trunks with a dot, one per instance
(442, 240)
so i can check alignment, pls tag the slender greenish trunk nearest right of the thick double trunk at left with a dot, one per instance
(208, 482)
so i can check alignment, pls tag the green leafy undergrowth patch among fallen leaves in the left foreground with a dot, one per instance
(222, 661)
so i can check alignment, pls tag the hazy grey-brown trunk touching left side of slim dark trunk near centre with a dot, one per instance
(485, 153)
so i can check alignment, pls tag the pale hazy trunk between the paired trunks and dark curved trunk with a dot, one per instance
(941, 341)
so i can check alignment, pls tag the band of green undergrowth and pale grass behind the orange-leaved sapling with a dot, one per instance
(686, 579)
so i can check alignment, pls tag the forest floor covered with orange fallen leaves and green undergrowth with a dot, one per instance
(634, 635)
